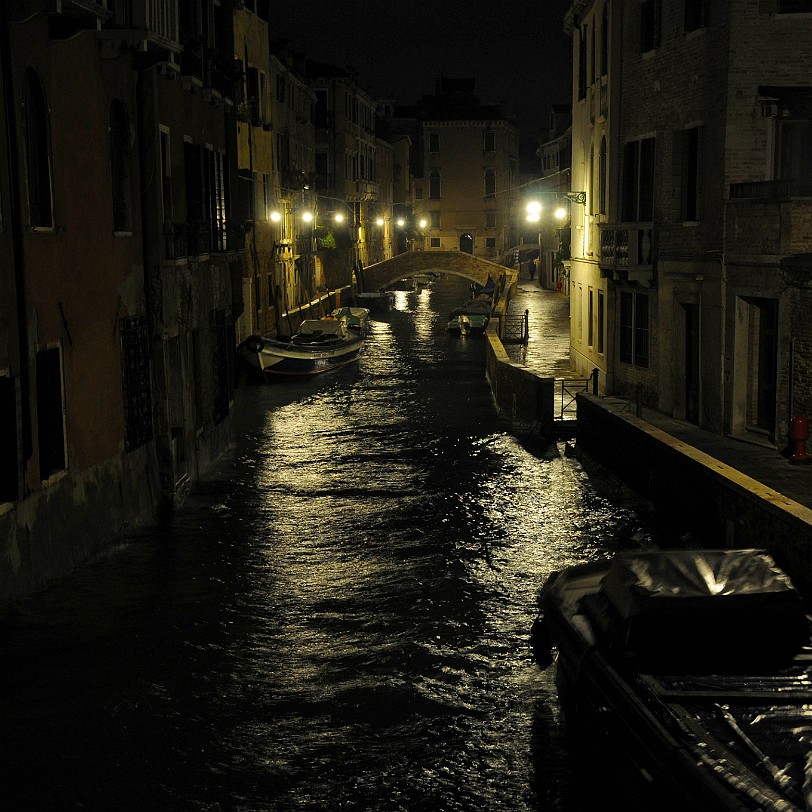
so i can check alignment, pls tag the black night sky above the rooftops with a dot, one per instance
(517, 52)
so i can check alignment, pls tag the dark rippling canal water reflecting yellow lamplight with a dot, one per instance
(337, 619)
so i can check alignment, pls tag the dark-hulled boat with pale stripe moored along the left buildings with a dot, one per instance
(319, 345)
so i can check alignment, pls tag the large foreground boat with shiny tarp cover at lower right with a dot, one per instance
(688, 673)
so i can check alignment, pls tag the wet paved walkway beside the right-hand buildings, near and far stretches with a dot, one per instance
(547, 353)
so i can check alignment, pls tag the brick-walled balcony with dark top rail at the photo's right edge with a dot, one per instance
(769, 218)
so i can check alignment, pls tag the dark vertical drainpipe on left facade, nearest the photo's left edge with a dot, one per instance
(18, 251)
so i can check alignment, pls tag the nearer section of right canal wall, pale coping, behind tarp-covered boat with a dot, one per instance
(702, 498)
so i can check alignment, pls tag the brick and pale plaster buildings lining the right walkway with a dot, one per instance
(692, 257)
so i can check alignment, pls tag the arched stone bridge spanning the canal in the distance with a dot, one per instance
(383, 275)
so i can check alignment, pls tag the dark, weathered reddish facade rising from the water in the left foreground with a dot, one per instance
(120, 270)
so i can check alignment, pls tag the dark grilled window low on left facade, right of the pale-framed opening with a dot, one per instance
(136, 382)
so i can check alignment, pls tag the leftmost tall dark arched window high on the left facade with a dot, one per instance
(37, 153)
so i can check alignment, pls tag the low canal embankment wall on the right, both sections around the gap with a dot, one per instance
(701, 499)
